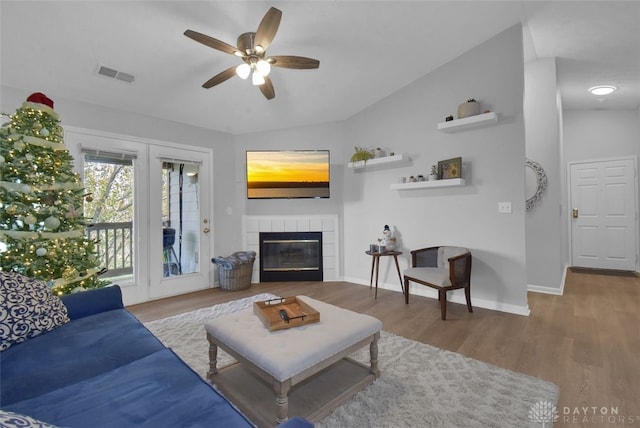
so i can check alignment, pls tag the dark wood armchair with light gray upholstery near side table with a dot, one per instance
(443, 268)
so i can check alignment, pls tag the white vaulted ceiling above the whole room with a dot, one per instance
(367, 50)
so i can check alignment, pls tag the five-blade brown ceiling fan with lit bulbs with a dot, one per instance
(252, 48)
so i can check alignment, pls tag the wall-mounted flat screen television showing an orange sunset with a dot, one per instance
(287, 174)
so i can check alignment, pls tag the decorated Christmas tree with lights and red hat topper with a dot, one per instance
(42, 229)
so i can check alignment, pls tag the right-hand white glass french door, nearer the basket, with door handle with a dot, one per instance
(179, 220)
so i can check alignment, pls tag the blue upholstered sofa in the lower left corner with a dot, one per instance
(105, 369)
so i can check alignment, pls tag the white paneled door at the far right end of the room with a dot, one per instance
(603, 206)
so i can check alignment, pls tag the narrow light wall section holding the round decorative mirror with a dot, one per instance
(545, 266)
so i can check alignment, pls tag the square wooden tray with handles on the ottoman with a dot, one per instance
(297, 313)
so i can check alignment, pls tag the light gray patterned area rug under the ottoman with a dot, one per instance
(420, 385)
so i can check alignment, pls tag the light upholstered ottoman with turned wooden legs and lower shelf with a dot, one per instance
(306, 367)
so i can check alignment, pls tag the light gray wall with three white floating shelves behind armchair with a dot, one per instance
(493, 159)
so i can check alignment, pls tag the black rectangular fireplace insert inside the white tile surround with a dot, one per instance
(291, 256)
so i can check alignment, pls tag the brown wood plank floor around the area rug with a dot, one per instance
(586, 341)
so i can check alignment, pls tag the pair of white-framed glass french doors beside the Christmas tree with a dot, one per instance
(150, 204)
